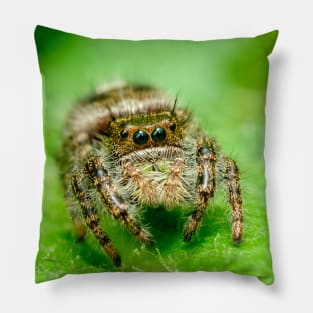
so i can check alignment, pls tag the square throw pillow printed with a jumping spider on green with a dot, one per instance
(154, 155)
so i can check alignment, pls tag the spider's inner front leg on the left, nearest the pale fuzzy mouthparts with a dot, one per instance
(115, 204)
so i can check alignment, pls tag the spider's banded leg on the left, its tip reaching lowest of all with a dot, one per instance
(91, 217)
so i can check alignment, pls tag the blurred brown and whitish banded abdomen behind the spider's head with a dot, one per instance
(95, 114)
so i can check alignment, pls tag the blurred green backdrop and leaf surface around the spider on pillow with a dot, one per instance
(223, 82)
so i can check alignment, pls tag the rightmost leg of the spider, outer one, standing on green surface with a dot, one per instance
(232, 182)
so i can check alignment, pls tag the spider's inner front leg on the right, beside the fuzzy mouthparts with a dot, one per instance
(206, 159)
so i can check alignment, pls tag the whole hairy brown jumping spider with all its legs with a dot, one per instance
(130, 146)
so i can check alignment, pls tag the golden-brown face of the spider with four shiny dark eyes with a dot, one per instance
(145, 131)
